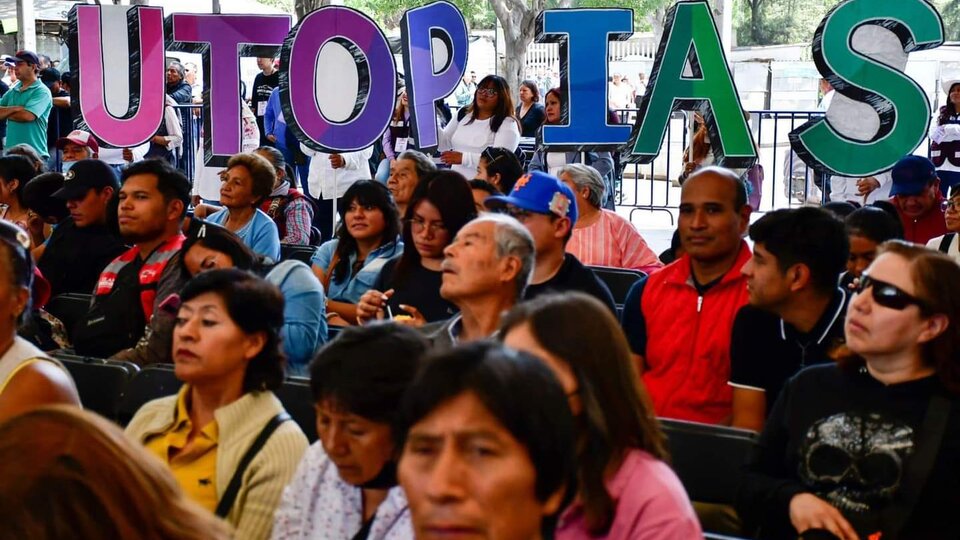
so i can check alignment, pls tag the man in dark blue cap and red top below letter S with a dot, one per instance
(916, 194)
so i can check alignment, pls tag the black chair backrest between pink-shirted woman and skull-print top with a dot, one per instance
(708, 459)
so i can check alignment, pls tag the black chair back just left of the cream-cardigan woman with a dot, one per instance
(100, 382)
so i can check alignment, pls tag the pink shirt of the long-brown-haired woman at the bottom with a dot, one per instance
(651, 504)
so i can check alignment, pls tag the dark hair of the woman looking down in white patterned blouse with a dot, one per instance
(366, 370)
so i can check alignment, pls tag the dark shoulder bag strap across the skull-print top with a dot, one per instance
(917, 468)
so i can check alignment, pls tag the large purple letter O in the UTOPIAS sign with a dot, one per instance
(367, 52)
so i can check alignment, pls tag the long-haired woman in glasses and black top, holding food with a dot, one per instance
(409, 286)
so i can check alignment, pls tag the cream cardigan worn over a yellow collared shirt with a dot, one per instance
(239, 424)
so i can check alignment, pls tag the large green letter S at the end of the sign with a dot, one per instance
(903, 107)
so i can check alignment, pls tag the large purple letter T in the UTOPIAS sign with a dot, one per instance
(222, 40)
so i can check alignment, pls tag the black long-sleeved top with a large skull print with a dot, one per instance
(845, 436)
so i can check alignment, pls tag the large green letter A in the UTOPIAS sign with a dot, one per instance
(690, 34)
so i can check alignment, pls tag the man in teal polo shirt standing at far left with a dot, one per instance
(27, 105)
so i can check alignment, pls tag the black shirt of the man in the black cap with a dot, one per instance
(75, 256)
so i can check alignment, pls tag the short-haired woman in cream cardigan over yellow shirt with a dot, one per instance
(226, 350)
